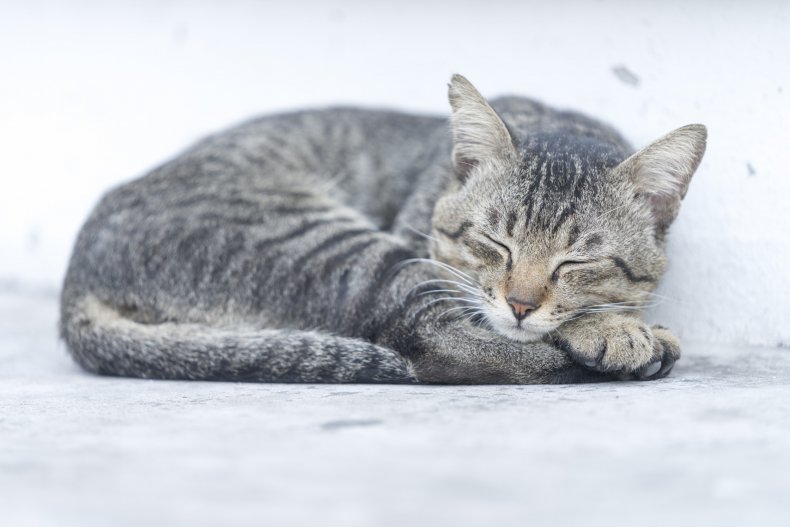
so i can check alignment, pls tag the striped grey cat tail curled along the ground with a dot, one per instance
(102, 340)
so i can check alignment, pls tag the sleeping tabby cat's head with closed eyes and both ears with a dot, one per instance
(558, 221)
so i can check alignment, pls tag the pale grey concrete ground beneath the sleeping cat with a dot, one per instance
(708, 446)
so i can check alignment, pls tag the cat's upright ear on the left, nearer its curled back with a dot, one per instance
(479, 133)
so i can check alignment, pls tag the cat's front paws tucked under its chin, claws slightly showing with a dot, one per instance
(620, 344)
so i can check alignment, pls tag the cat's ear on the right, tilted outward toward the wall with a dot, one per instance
(661, 172)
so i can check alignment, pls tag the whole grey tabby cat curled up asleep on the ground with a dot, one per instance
(288, 249)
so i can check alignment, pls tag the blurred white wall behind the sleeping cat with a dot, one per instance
(92, 94)
